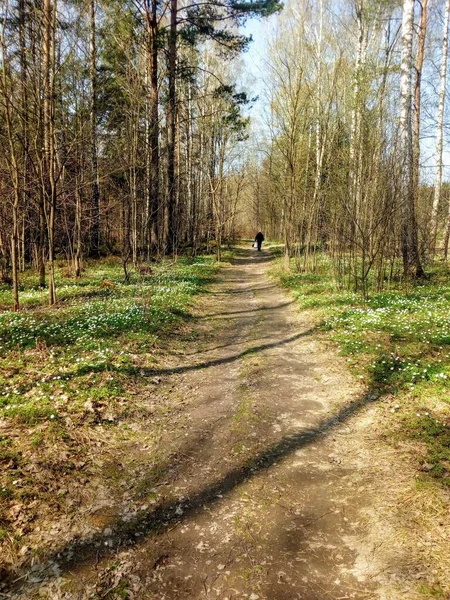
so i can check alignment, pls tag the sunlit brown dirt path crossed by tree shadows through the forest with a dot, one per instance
(269, 490)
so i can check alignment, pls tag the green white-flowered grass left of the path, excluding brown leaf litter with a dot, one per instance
(90, 347)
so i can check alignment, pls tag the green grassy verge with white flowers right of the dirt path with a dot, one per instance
(398, 343)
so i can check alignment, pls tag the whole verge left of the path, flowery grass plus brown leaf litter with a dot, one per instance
(76, 379)
